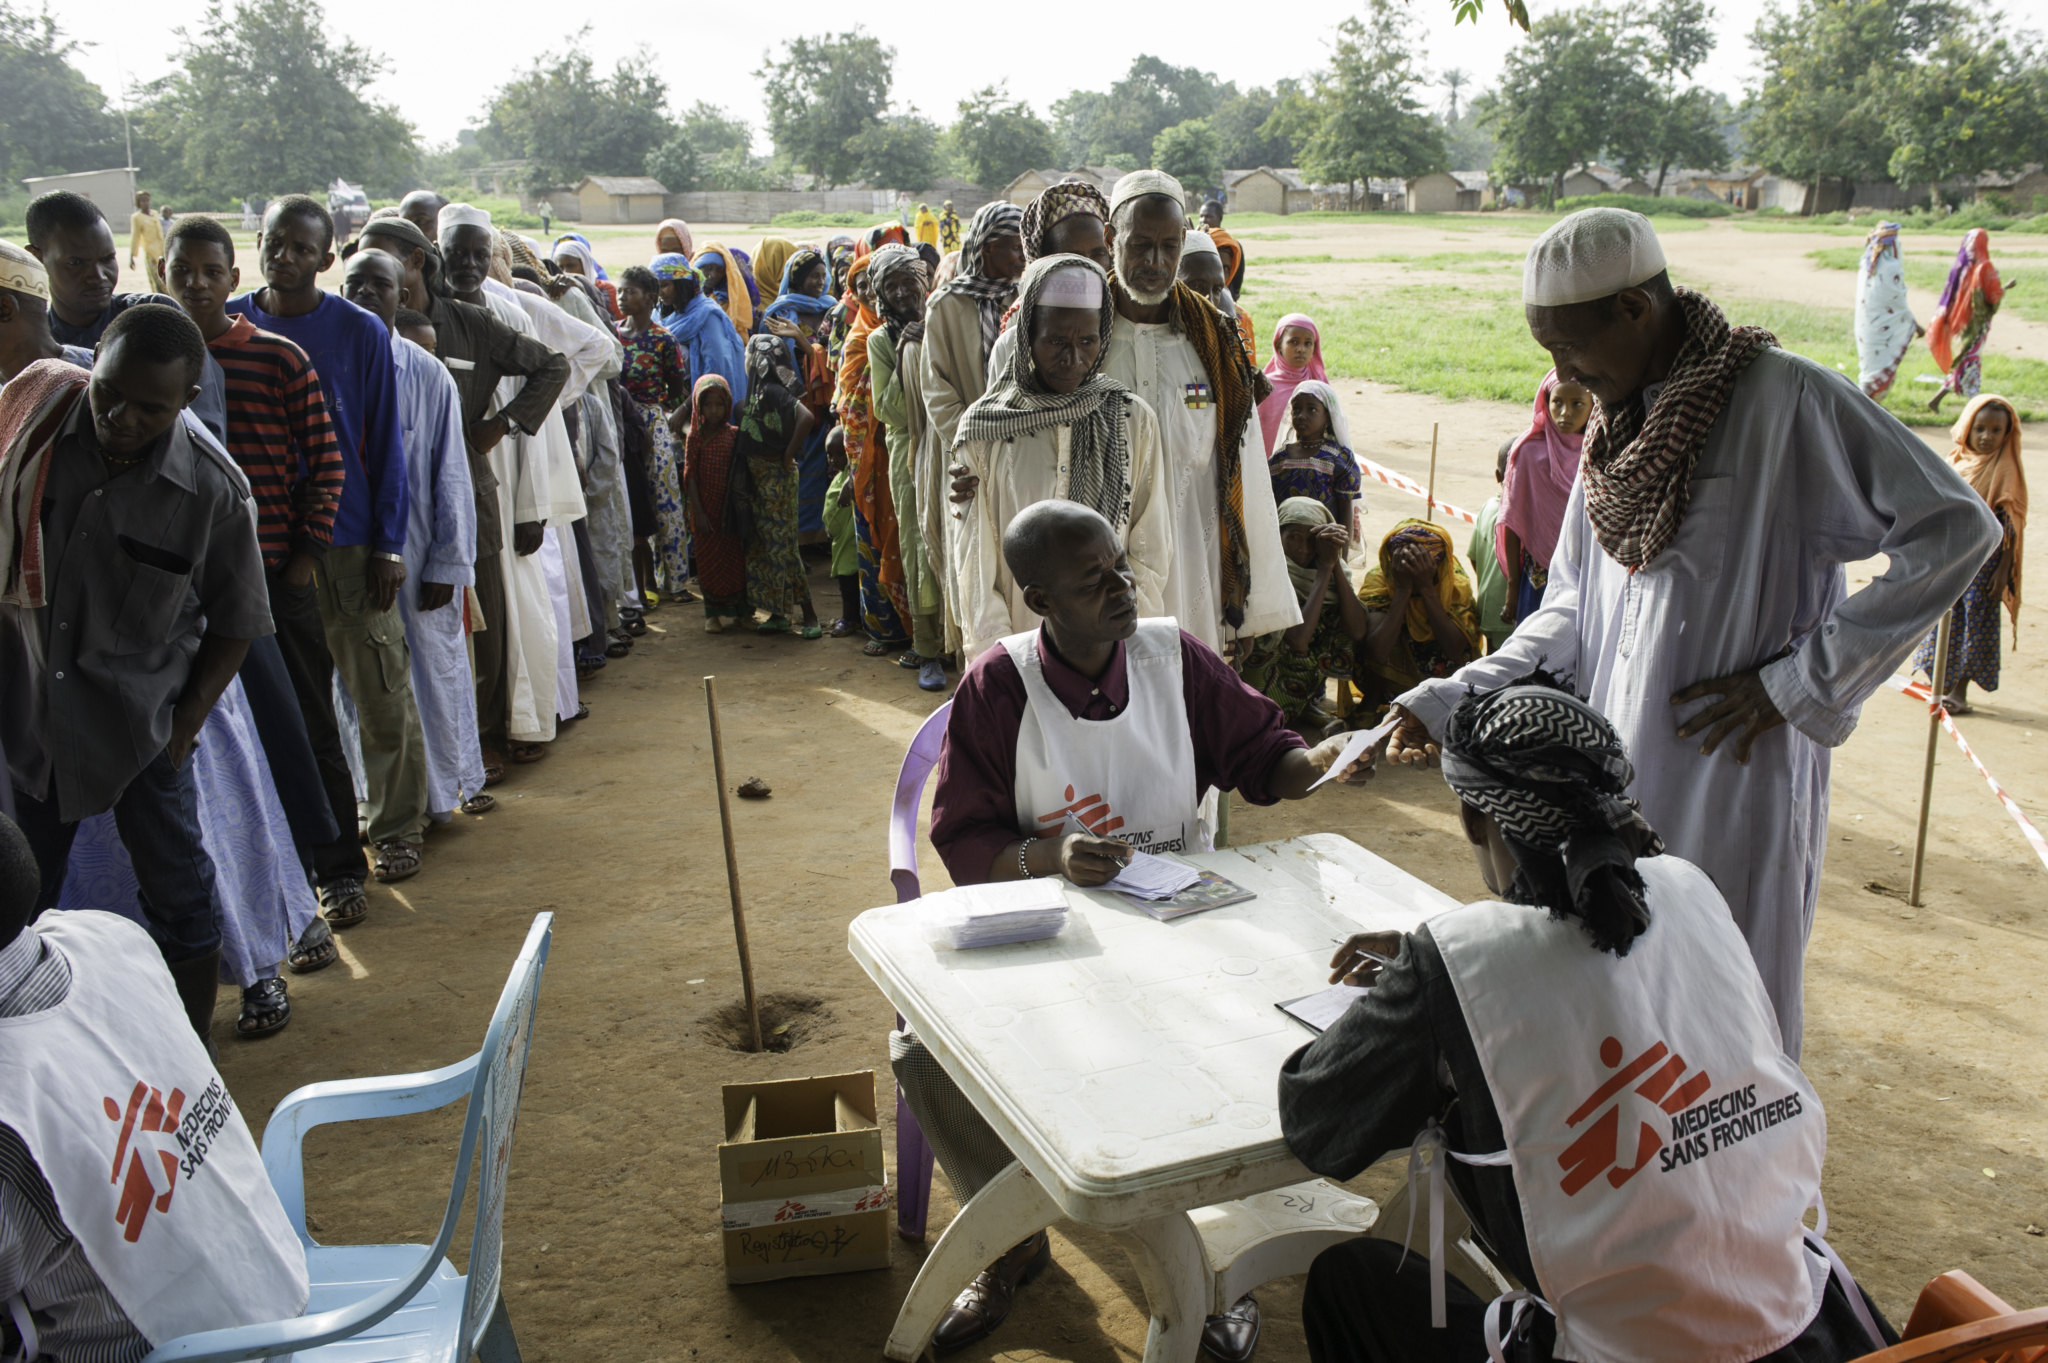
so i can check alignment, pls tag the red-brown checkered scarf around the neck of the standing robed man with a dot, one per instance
(1639, 468)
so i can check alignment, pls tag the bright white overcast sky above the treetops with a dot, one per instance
(712, 56)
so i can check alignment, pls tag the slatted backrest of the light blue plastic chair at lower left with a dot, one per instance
(495, 1112)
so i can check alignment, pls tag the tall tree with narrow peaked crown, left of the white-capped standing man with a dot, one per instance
(1363, 120)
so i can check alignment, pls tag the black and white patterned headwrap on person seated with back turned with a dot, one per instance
(1551, 773)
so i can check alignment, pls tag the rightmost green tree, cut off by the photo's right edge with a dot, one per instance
(1973, 105)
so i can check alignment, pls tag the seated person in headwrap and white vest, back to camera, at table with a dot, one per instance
(1603, 1067)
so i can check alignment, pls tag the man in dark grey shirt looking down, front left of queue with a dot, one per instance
(153, 590)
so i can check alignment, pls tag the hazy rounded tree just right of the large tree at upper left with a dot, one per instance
(568, 122)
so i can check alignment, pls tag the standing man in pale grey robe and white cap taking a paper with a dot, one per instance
(1730, 580)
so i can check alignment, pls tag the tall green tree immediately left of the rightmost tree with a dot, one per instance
(1830, 77)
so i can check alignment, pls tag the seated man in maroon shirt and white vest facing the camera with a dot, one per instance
(1121, 726)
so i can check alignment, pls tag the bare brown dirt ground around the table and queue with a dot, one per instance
(1924, 1024)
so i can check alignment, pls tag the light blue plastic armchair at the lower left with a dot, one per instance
(402, 1303)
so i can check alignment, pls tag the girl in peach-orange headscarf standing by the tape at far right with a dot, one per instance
(1988, 457)
